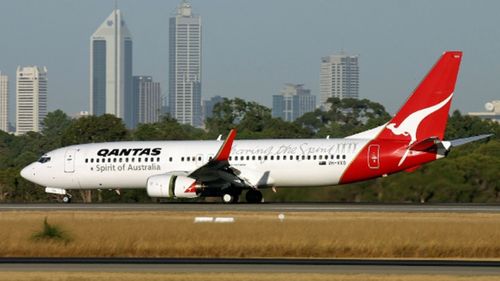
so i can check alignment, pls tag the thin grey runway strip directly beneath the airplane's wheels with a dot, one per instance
(265, 207)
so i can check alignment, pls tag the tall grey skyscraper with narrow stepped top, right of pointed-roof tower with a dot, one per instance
(185, 66)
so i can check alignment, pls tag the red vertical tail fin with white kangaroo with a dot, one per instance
(425, 113)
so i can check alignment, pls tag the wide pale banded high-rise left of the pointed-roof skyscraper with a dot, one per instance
(31, 98)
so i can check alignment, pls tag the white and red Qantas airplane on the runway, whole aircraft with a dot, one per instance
(216, 168)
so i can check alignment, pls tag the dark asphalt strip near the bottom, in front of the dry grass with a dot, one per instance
(334, 266)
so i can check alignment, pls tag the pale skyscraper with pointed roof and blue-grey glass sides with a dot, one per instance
(111, 69)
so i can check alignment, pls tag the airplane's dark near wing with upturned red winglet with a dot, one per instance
(218, 168)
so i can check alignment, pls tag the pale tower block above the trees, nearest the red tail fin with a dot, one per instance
(339, 77)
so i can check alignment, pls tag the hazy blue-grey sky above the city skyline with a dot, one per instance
(252, 48)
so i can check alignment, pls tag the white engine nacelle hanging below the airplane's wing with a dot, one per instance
(165, 186)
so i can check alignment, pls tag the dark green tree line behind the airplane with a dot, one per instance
(469, 174)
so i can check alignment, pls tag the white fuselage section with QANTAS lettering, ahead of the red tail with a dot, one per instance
(262, 163)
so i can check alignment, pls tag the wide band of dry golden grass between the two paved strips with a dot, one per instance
(298, 234)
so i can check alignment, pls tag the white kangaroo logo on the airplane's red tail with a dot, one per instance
(410, 125)
